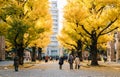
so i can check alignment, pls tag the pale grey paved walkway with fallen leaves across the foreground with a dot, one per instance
(51, 69)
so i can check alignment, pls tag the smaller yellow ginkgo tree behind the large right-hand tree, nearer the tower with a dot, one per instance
(73, 42)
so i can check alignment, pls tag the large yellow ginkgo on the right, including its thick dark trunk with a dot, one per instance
(94, 19)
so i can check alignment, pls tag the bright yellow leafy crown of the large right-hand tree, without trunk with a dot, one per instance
(85, 16)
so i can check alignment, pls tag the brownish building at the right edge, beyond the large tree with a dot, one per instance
(113, 49)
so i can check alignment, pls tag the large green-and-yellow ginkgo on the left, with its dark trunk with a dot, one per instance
(25, 20)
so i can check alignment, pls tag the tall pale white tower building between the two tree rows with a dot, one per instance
(53, 48)
